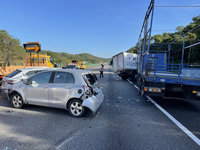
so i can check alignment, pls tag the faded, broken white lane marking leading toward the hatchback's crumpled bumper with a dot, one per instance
(74, 134)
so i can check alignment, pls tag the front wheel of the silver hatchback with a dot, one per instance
(17, 100)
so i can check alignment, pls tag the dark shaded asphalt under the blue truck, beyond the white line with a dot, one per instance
(185, 111)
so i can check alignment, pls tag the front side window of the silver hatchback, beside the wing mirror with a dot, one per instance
(42, 78)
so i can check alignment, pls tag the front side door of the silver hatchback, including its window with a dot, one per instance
(37, 92)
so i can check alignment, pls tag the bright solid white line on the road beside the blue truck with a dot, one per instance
(179, 125)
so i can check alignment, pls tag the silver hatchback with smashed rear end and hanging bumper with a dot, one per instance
(69, 89)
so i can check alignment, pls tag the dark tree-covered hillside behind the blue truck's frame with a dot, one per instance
(192, 55)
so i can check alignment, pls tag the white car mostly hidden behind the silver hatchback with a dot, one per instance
(19, 75)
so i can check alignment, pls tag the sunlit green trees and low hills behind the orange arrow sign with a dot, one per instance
(12, 51)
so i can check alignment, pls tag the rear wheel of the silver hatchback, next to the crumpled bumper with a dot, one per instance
(75, 108)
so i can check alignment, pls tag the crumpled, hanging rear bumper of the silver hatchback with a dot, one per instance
(93, 102)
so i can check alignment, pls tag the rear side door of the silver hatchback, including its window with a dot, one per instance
(61, 89)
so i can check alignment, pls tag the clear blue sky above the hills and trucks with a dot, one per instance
(100, 27)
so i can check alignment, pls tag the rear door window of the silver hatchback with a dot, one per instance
(64, 77)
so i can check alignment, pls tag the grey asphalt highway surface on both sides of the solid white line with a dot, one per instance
(124, 121)
